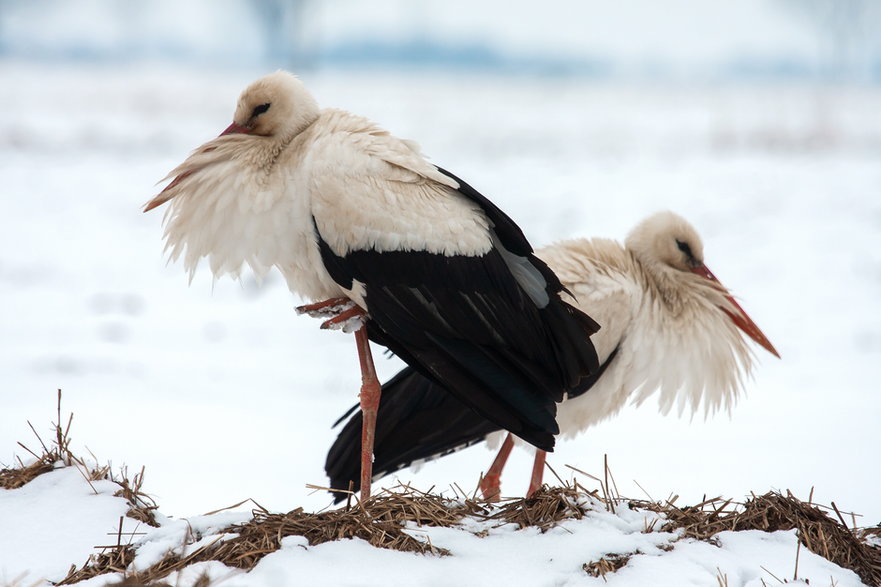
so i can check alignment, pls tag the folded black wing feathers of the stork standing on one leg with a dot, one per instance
(491, 360)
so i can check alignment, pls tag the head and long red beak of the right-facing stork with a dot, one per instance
(666, 241)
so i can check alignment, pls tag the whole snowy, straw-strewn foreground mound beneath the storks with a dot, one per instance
(58, 516)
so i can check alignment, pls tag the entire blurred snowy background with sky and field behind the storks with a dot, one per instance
(758, 120)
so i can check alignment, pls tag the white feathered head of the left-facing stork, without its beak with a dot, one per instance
(276, 105)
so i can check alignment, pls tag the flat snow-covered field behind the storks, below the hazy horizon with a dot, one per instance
(223, 393)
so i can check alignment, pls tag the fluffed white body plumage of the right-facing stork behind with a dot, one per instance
(674, 341)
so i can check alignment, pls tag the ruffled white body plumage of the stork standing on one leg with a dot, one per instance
(365, 189)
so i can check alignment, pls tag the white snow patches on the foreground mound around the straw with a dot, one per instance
(56, 519)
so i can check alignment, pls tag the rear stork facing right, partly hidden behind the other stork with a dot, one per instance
(669, 328)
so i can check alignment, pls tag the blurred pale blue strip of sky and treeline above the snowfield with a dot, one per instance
(818, 40)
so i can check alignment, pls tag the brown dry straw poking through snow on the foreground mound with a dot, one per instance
(391, 519)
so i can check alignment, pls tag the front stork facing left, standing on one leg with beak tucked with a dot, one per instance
(385, 243)
